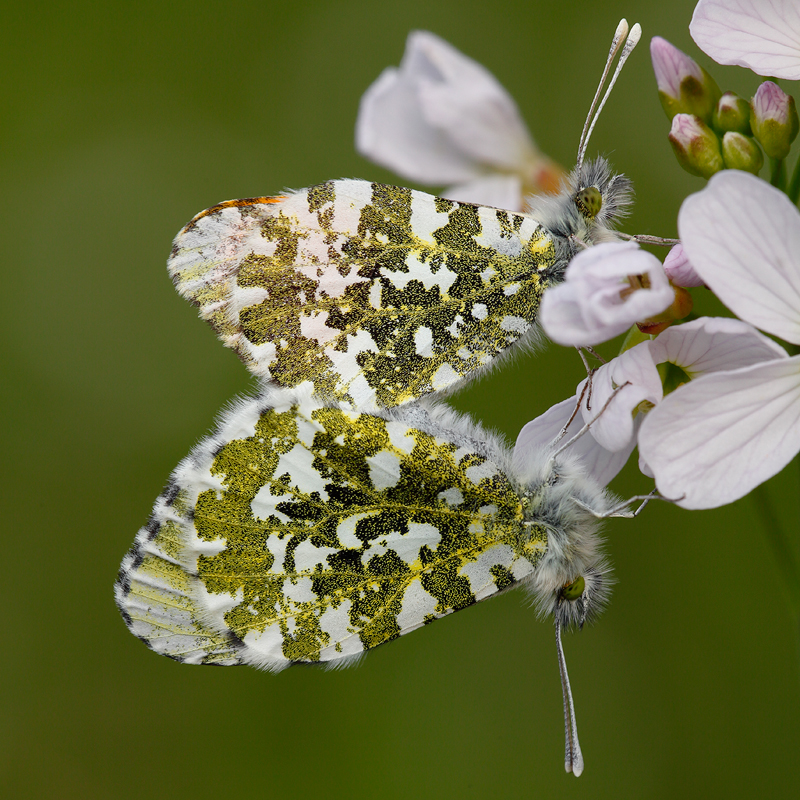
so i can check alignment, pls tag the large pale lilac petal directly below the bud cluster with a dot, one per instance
(742, 236)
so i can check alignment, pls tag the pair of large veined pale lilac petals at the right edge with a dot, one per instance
(713, 440)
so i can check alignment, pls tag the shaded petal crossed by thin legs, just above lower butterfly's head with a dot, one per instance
(537, 437)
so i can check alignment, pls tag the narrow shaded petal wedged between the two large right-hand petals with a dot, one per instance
(713, 344)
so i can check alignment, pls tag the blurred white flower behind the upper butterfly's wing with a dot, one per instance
(442, 118)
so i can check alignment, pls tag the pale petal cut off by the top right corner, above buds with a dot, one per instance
(762, 35)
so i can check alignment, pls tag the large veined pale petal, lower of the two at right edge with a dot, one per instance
(713, 440)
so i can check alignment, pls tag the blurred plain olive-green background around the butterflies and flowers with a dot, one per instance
(121, 121)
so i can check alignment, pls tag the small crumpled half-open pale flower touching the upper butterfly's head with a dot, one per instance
(600, 298)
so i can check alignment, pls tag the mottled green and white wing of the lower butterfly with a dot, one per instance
(301, 533)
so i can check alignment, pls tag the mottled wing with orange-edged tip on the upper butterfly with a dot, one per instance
(374, 295)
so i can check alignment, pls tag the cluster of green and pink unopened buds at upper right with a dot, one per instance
(712, 131)
